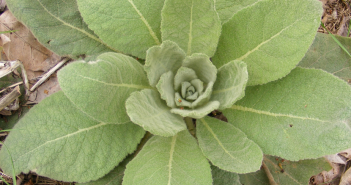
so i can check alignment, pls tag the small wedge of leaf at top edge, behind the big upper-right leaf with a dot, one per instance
(227, 8)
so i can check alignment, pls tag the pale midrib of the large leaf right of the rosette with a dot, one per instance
(246, 109)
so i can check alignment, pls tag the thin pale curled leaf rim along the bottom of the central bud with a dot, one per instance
(198, 112)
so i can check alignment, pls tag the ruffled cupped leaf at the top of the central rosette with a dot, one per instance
(161, 59)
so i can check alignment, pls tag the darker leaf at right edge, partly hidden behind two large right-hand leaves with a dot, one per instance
(326, 54)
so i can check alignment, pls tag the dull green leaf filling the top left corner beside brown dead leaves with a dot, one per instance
(58, 26)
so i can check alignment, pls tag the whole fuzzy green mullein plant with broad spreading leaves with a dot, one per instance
(200, 56)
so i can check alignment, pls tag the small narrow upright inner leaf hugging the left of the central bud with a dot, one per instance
(166, 89)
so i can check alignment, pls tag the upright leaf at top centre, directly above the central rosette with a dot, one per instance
(194, 25)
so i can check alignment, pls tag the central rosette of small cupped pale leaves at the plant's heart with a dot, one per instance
(183, 86)
